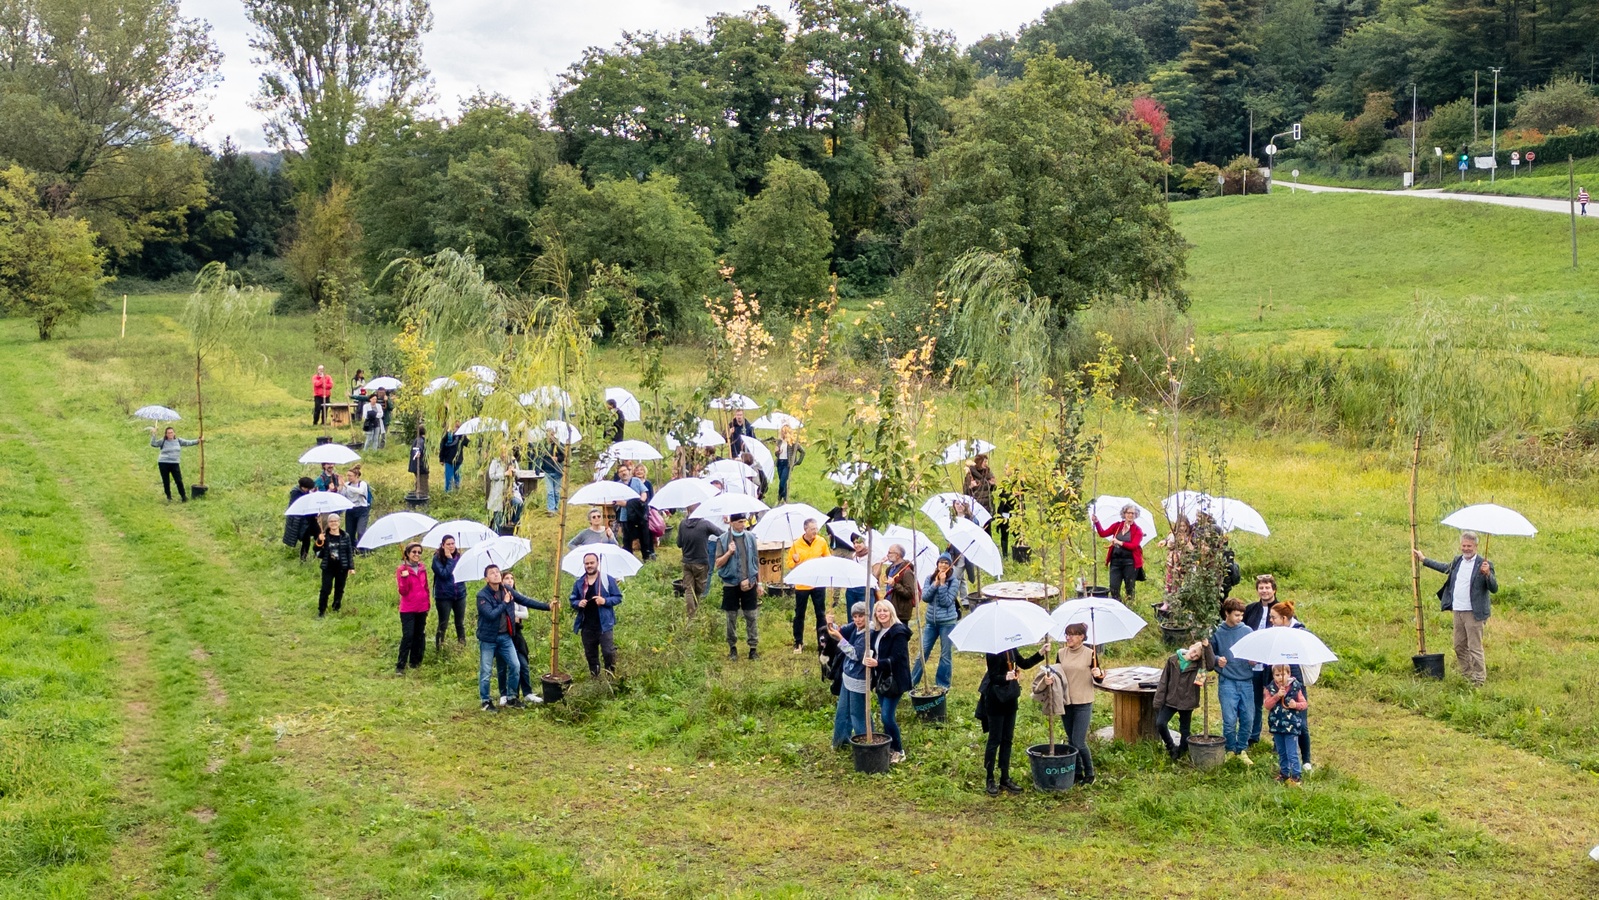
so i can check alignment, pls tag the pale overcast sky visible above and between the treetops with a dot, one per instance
(519, 49)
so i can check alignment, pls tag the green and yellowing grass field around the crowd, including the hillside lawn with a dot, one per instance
(175, 722)
